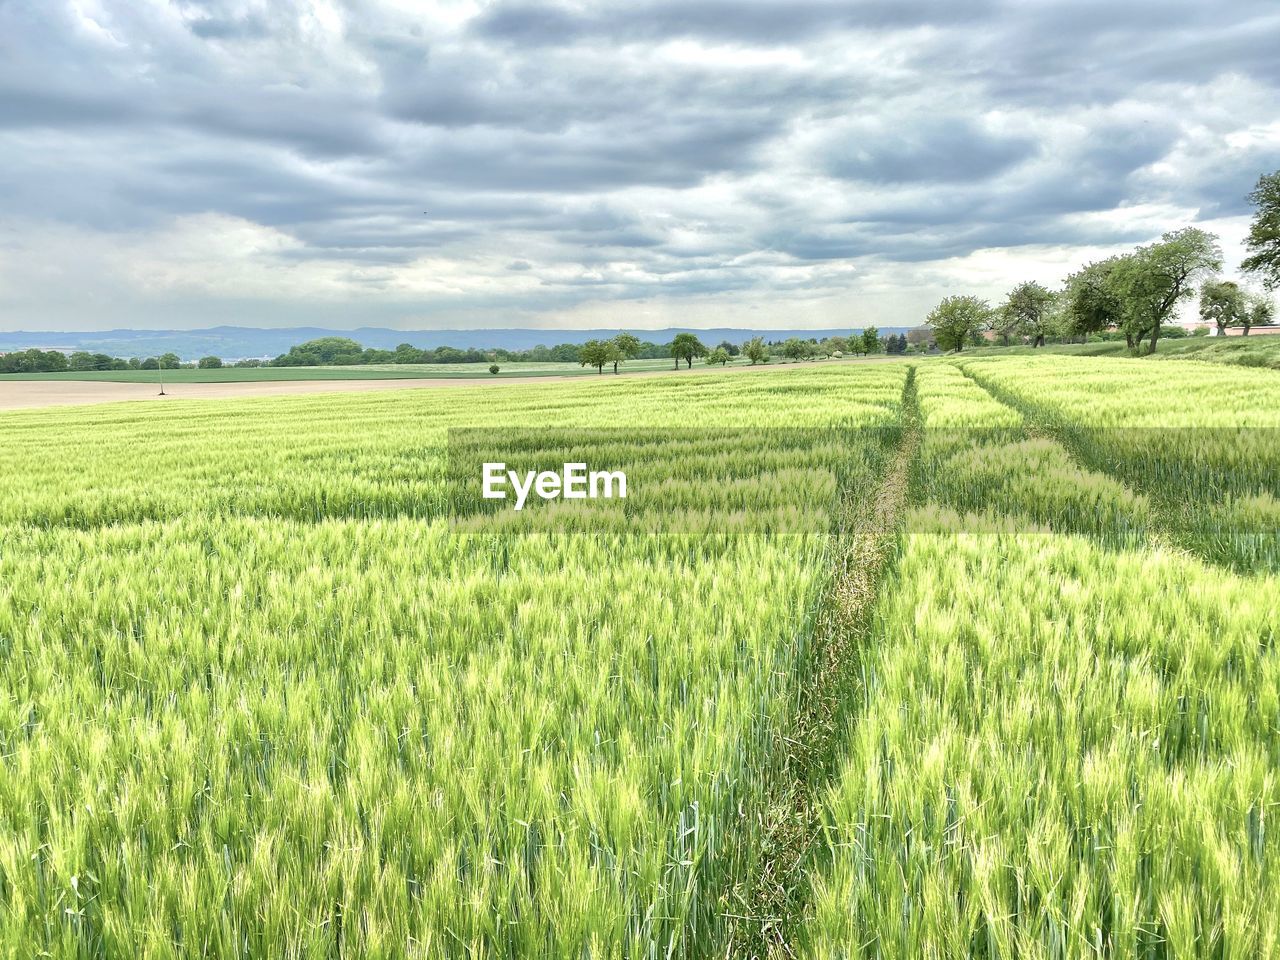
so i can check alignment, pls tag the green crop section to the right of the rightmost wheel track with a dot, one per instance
(1204, 447)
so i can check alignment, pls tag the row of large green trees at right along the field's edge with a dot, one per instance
(1136, 295)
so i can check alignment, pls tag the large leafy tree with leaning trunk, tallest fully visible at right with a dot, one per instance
(1153, 281)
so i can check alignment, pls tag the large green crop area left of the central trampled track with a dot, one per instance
(262, 700)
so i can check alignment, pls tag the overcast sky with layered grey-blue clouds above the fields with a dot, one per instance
(650, 164)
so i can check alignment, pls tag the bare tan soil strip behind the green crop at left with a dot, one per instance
(21, 395)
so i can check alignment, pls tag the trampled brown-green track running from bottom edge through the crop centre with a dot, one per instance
(767, 908)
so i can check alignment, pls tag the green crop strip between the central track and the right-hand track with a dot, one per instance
(1069, 743)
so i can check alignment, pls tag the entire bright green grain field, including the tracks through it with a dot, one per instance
(263, 696)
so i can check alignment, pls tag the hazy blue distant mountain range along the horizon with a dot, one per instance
(241, 342)
